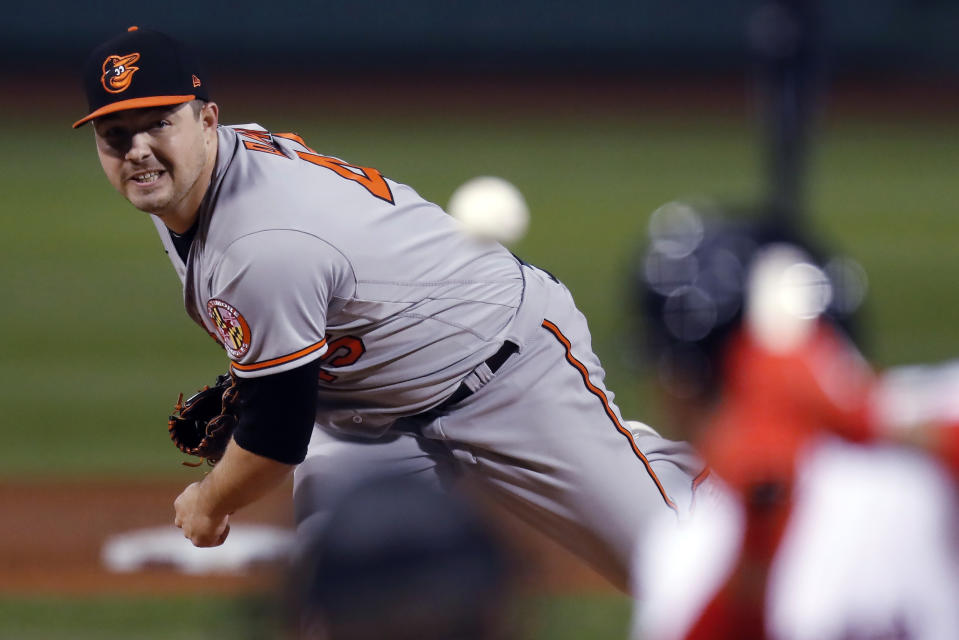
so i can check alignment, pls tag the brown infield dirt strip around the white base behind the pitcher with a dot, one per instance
(54, 531)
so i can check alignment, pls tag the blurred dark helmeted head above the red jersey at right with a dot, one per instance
(689, 287)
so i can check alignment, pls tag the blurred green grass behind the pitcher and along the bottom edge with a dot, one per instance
(96, 344)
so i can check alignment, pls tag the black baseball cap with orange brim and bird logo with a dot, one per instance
(140, 68)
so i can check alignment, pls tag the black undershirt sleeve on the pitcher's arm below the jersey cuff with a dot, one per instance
(276, 413)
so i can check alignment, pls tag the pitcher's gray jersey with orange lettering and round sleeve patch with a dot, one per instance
(309, 257)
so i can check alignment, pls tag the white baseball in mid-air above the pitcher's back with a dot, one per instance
(491, 208)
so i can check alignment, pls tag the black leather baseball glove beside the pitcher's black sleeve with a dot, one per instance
(203, 425)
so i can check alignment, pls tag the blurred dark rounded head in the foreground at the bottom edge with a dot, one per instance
(400, 559)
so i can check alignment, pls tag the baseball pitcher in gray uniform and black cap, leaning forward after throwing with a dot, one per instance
(366, 332)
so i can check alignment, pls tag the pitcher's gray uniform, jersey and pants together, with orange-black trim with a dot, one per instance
(300, 256)
